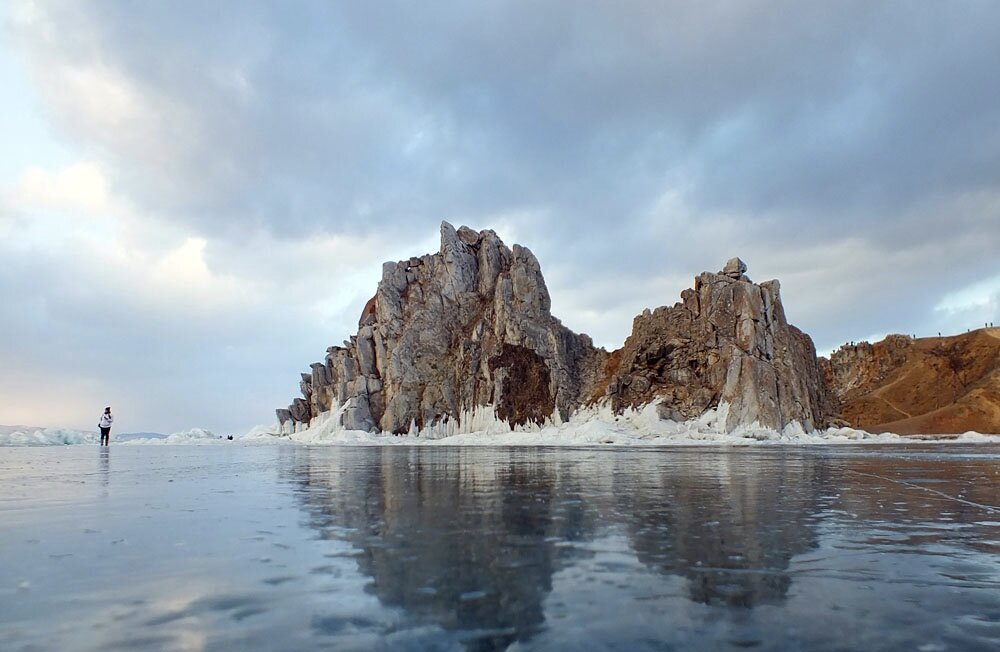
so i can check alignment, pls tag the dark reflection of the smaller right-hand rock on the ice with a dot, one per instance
(729, 529)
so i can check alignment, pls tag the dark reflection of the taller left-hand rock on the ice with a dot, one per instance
(465, 545)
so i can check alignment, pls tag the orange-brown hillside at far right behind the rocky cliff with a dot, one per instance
(933, 385)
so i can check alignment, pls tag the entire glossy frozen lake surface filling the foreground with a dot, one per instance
(440, 548)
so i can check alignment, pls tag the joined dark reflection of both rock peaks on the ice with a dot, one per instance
(427, 521)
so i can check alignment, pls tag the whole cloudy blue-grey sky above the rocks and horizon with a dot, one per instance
(196, 198)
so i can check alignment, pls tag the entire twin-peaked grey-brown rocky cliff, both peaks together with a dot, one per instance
(469, 329)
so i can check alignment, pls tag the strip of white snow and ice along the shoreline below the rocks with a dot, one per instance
(592, 427)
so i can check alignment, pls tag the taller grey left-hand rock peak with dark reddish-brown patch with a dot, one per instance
(466, 327)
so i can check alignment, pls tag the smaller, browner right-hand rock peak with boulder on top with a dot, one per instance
(728, 342)
